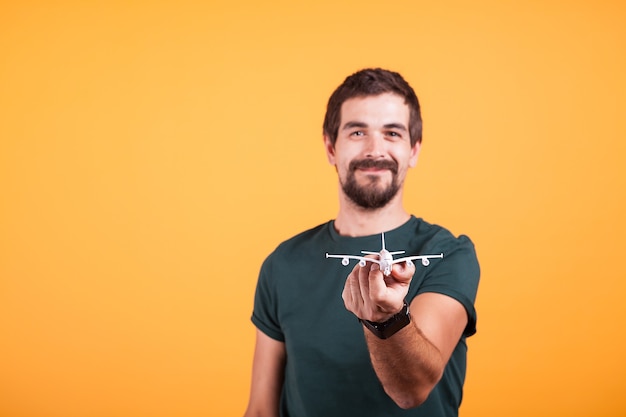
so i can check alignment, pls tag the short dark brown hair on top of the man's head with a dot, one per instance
(372, 82)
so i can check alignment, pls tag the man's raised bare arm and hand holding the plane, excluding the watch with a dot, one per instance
(411, 362)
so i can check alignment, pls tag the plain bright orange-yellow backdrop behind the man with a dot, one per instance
(153, 153)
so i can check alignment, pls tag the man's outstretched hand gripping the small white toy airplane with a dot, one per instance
(372, 296)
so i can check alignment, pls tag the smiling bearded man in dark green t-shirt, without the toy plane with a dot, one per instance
(365, 344)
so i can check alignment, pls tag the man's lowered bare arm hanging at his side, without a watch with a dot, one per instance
(268, 370)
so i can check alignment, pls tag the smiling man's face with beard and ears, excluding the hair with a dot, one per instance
(373, 149)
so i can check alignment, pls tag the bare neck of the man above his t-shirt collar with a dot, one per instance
(354, 221)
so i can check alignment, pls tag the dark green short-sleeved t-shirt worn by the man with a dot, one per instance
(328, 370)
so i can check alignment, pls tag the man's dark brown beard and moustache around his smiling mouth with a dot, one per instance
(371, 196)
